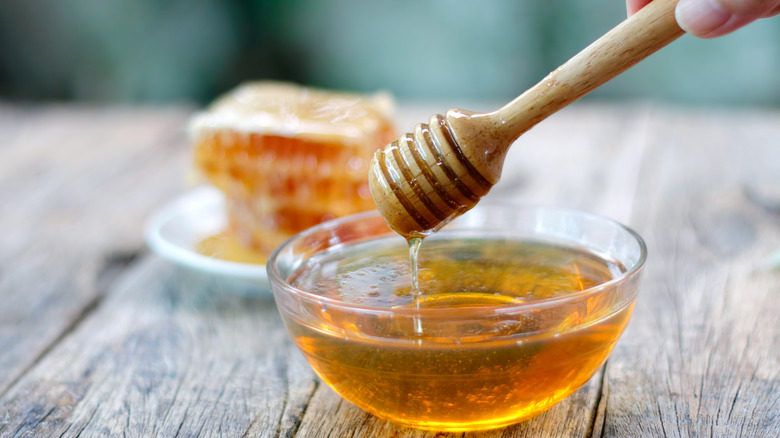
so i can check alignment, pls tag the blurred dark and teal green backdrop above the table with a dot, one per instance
(193, 50)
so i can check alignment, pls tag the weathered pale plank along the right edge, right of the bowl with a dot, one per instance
(700, 357)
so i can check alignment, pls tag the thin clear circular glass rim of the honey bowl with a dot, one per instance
(277, 281)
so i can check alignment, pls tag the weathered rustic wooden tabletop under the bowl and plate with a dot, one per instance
(98, 337)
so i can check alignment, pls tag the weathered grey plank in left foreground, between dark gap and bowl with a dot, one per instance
(166, 354)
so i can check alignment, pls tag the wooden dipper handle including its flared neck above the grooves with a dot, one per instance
(489, 135)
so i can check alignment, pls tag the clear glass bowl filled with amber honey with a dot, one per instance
(518, 307)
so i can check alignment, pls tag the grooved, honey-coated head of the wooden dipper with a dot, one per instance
(425, 179)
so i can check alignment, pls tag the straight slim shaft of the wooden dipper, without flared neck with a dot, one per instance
(640, 35)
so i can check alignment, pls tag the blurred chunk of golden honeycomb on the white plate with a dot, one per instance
(288, 157)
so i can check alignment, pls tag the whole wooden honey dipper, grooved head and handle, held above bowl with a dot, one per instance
(428, 177)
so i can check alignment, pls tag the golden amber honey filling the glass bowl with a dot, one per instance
(479, 349)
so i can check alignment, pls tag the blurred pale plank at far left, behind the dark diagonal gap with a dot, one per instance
(76, 184)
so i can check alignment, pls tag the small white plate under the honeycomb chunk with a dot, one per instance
(174, 230)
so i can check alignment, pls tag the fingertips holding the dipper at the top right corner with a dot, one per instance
(713, 18)
